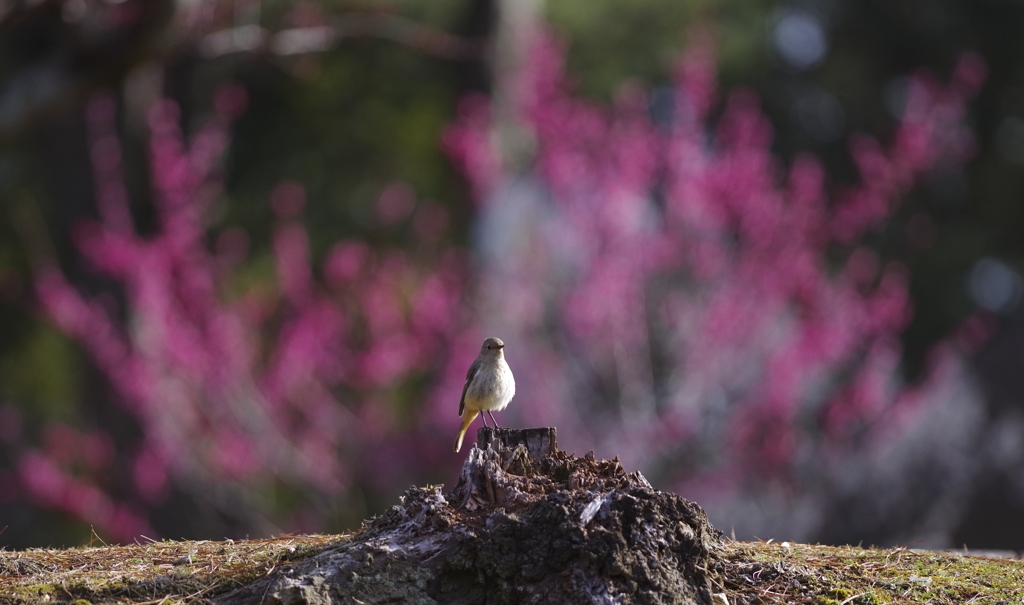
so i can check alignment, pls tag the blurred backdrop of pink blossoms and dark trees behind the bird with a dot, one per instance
(769, 253)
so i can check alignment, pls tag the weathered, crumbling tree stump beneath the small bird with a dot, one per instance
(527, 525)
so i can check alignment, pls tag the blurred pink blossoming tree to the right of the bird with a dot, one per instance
(721, 300)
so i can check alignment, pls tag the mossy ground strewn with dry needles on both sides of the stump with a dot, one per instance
(750, 573)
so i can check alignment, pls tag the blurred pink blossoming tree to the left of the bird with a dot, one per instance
(241, 392)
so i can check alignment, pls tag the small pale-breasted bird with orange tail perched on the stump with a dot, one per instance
(490, 387)
